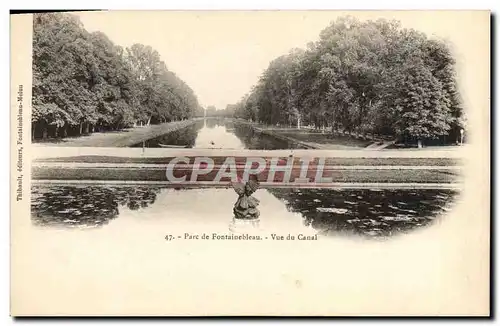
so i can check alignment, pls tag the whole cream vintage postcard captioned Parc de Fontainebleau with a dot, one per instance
(238, 163)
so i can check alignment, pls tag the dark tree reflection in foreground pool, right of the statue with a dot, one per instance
(367, 212)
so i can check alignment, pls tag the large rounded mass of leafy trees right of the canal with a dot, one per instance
(362, 77)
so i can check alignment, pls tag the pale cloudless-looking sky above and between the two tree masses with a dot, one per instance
(220, 55)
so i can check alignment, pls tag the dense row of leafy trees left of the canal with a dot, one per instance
(82, 82)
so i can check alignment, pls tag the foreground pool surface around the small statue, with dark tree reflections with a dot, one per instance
(371, 213)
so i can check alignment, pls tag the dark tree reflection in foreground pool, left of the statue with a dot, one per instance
(85, 206)
